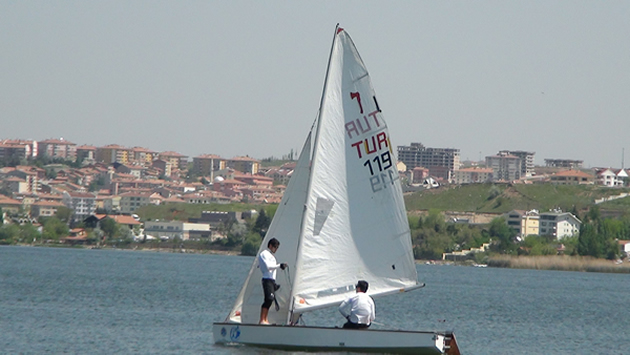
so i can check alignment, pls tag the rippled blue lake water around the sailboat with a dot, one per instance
(106, 301)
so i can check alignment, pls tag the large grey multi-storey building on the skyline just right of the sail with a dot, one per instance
(441, 162)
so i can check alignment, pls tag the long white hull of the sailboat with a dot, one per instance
(302, 338)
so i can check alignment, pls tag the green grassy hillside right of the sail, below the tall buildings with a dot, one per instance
(501, 198)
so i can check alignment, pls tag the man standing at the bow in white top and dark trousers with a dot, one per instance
(268, 265)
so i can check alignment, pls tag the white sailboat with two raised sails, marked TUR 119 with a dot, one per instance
(342, 218)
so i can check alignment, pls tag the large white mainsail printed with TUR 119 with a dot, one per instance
(355, 224)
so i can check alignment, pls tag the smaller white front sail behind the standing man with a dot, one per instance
(285, 227)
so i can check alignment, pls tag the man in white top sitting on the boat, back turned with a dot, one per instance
(358, 309)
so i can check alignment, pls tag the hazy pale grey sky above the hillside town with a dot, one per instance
(245, 77)
